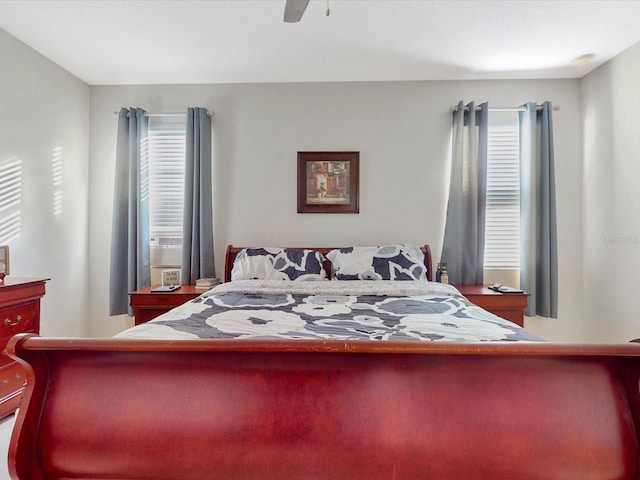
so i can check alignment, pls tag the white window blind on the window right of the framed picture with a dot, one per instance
(502, 229)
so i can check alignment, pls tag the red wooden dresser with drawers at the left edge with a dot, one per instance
(19, 312)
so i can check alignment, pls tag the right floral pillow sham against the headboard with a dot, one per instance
(388, 262)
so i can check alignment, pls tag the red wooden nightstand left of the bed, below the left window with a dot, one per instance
(147, 305)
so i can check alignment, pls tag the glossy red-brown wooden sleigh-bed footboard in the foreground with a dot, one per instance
(146, 409)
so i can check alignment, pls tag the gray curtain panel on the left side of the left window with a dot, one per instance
(130, 260)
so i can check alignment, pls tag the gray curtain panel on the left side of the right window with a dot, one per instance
(463, 245)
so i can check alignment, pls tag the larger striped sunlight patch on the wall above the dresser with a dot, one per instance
(10, 199)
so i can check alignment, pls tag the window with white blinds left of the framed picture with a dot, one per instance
(166, 189)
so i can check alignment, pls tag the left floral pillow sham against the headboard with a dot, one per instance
(269, 263)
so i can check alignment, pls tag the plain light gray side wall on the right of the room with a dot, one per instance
(611, 100)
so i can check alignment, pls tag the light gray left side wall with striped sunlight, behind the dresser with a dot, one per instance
(44, 127)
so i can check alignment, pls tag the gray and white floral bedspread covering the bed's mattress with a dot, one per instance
(353, 310)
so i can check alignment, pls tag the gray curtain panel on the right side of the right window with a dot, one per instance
(538, 242)
